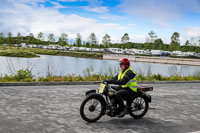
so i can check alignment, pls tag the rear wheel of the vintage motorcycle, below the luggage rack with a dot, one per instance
(138, 107)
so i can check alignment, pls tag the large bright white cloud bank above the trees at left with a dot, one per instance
(25, 19)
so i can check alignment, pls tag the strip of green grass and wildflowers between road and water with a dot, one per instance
(26, 76)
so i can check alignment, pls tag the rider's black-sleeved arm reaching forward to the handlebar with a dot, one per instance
(129, 75)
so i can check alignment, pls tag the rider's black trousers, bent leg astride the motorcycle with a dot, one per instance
(123, 94)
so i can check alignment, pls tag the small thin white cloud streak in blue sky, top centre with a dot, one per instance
(99, 9)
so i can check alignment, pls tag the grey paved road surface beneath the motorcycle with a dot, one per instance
(55, 109)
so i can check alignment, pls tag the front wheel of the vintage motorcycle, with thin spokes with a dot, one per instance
(92, 108)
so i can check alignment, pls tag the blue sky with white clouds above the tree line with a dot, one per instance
(114, 17)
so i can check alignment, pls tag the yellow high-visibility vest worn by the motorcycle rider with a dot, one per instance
(132, 83)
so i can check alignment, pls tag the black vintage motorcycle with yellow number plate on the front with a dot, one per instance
(101, 102)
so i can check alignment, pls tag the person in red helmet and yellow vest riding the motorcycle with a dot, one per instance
(126, 79)
